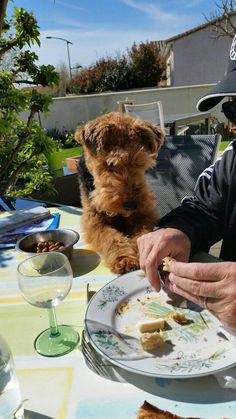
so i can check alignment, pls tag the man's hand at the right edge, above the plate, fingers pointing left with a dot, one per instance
(214, 281)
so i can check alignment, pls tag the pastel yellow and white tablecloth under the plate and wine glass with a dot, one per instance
(64, 387)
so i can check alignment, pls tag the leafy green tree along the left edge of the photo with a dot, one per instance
(23, 143)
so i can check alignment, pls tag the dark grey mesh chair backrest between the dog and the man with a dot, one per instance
(181, 160)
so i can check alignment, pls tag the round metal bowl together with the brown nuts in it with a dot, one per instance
(58, 240)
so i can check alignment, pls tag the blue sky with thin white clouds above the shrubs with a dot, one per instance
(100, 28)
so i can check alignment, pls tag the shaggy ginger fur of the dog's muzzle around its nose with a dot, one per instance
(120, 177)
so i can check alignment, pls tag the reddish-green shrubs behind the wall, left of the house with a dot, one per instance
(142, 66)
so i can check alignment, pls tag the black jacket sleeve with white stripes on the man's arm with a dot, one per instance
(202, 216)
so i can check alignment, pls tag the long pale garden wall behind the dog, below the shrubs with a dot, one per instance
(67, 112)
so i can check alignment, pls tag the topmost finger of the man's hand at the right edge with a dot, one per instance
(200, 271)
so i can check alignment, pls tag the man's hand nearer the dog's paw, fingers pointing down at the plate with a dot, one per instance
(153, 247)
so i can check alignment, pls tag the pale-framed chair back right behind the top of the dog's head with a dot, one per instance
(150, 111)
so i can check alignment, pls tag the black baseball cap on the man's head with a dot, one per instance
(225, 87)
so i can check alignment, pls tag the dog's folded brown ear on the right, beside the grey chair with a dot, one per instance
(151, 135)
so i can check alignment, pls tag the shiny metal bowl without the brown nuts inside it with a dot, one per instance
(64, 235)
